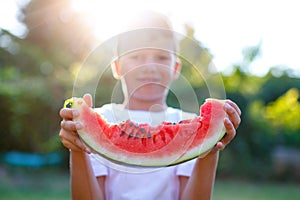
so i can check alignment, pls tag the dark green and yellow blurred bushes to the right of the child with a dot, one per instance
(270, 117)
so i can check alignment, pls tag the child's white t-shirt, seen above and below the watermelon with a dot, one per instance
(134, 183)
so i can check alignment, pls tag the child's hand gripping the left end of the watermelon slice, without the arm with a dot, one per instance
(68, 132)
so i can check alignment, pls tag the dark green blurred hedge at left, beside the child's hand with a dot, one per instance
(22, 100)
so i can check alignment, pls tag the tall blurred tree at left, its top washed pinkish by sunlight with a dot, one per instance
(37, 74)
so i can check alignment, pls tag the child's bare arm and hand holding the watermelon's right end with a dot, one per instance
(199, 185)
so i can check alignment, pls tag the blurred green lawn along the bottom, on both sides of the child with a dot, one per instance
(52, 183)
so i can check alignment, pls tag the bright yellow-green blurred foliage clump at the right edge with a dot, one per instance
(282, 118)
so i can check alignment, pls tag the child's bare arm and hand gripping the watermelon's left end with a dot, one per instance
(84, 184)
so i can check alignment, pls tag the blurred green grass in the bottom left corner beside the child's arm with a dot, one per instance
(34, 184)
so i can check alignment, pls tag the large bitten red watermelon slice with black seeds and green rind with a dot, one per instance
(135, 144)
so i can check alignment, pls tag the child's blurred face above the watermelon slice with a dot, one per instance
(148, 73)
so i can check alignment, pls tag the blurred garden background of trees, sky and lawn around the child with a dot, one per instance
(42, 46)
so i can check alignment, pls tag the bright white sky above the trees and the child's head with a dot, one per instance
(225, 27)
